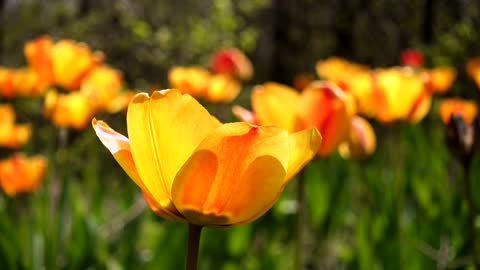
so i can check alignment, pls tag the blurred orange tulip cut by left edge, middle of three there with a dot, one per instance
(11, 134)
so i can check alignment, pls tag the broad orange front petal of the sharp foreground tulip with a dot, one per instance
(215, 187)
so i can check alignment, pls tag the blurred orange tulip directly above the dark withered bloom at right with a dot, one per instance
(467, 109)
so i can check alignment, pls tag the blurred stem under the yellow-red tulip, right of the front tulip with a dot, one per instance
(300, 226)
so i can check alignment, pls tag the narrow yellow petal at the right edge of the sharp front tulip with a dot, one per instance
(304, 145)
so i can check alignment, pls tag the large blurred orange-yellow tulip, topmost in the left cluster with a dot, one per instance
(64, 63)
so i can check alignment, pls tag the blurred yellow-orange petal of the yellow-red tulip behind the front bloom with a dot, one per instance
(276, 104)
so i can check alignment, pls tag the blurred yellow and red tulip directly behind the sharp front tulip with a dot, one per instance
(321, 105)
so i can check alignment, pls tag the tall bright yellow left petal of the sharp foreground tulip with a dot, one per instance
(164, 129)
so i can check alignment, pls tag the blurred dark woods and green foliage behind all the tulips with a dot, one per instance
(401, 208)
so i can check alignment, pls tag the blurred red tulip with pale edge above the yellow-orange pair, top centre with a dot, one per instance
(233, 62)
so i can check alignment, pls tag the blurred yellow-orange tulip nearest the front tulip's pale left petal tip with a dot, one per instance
(68, 110)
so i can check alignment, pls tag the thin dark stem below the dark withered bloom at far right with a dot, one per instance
(471, 214)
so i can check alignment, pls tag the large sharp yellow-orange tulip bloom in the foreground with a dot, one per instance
(193, 168)
